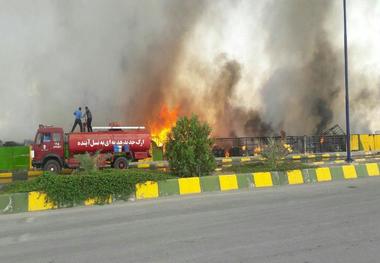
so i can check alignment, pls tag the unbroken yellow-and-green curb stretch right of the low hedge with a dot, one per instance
(230, 182)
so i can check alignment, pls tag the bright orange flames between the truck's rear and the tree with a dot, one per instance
(162, 124)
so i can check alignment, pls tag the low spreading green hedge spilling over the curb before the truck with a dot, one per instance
(68, 190)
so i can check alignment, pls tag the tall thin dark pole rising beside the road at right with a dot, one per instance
(348, 137)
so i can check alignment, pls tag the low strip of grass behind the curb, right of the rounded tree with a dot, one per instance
(265, 167)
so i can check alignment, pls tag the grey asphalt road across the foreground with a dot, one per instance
(331, 222)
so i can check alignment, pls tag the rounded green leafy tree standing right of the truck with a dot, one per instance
(189, 148)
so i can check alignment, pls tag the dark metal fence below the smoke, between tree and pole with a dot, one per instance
(247, 146)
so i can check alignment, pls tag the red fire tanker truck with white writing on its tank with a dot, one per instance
(116, 146)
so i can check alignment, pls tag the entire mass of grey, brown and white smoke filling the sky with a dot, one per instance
(249, 68)
